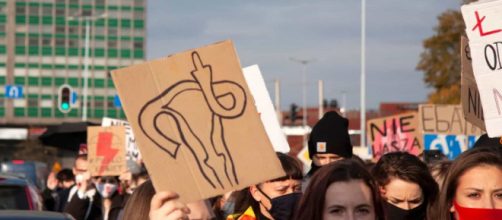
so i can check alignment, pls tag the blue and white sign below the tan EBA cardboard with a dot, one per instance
(450, 145)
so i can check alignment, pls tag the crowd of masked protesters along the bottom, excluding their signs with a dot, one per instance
(339, 185)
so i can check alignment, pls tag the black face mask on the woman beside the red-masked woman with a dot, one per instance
(395, 213)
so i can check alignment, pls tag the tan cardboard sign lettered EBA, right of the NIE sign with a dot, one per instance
(445, 119)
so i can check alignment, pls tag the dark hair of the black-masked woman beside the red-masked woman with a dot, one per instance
(407, 167)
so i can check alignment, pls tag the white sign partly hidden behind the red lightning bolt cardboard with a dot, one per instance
(132, 151)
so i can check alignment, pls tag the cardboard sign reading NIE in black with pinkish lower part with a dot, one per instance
(394, 133)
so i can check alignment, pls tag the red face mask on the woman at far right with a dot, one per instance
(476, 213)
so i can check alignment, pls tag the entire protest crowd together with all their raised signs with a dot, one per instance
(208, 150)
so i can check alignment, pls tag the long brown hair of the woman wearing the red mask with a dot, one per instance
(466, 161)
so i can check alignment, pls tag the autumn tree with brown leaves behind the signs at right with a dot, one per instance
(440, 60)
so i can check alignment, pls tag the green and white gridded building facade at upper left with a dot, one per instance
(47, 39)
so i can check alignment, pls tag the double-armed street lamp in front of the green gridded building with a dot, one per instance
(88, 20)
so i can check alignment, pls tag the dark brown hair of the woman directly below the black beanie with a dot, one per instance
(312, 203)
